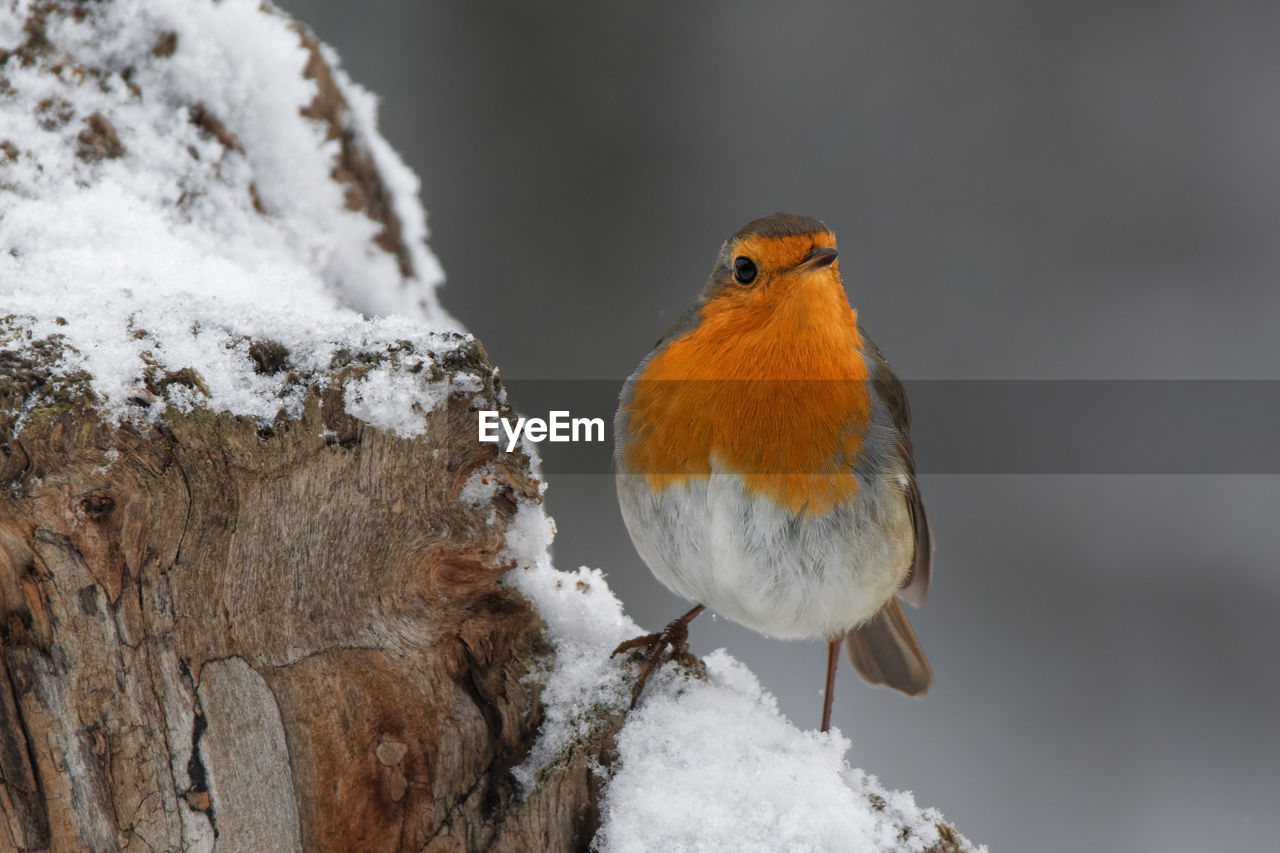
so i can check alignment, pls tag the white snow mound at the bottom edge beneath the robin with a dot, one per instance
(714, 767)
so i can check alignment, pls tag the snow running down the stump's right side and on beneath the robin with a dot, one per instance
(705, 764)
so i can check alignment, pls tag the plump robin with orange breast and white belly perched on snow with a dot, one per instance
(765, 464)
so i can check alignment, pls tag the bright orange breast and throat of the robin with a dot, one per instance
(775, 390)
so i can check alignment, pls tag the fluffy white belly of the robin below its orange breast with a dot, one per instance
(760, 565)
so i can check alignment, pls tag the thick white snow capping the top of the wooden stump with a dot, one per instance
(176, 249)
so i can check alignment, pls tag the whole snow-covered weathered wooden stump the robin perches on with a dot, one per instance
(262, 589)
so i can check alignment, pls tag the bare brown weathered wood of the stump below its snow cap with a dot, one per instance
(276, 638)
